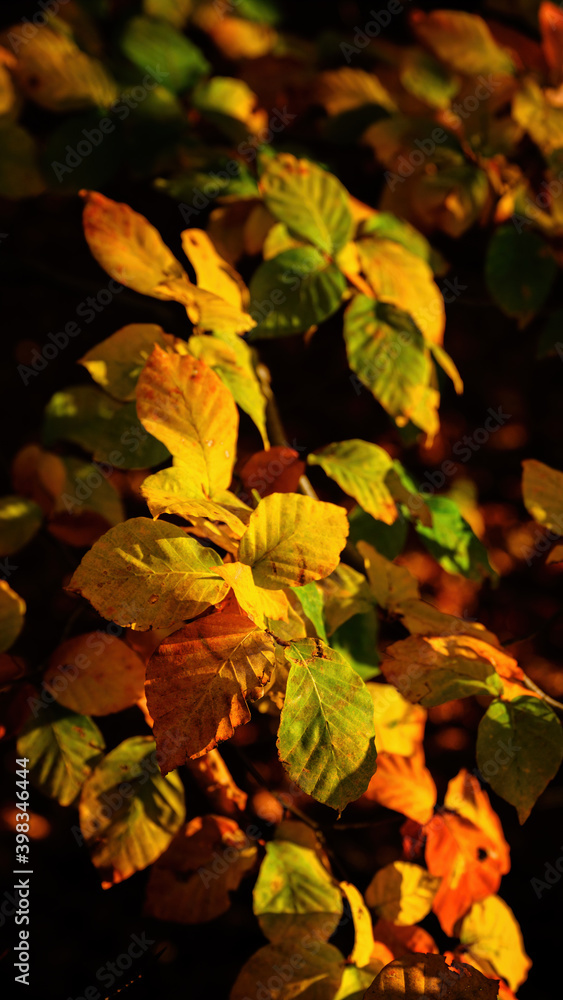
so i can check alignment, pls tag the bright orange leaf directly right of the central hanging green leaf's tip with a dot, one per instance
(403, 784)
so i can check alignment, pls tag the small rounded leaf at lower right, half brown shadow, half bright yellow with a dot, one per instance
(402, 893)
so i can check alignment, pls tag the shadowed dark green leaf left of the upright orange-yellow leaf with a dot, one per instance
(108, 429)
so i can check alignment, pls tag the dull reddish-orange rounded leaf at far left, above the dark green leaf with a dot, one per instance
(95, 674)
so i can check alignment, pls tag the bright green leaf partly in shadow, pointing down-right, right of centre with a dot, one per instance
(452, 542)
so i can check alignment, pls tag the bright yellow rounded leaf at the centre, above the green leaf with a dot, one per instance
(292, 540)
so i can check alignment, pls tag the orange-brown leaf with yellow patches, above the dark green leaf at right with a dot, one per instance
(431, 670)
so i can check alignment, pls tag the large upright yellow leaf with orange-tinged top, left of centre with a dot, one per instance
(184, 404)
